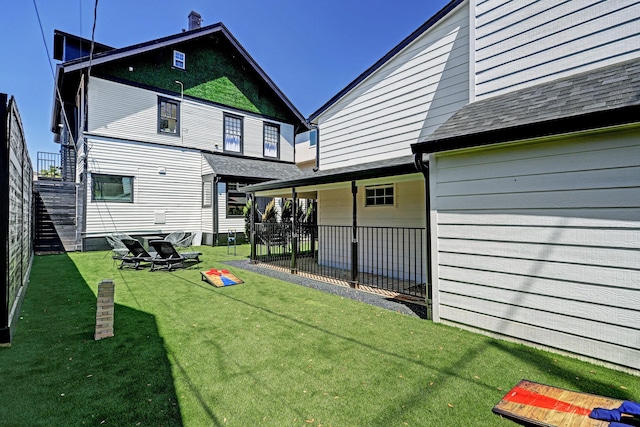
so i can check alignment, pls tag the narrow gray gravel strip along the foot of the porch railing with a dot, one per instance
(381, 301)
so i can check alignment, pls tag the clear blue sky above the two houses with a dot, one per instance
(311, 50)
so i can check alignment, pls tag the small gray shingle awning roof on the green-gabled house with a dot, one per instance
(254, 169)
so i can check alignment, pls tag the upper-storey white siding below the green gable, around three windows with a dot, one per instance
(131, 113)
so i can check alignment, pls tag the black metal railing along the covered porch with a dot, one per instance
(388, 258)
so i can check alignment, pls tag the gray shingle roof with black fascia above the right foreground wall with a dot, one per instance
(608, 96)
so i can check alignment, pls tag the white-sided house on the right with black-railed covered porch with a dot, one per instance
(522, 121)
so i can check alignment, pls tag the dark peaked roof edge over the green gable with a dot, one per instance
(125, 52)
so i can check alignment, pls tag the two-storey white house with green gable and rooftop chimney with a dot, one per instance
(164, 135)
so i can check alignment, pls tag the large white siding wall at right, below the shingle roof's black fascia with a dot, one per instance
(540, 242)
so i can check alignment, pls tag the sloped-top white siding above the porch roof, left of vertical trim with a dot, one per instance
(404, 100)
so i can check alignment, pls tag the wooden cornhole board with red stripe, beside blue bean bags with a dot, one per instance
(535, 404)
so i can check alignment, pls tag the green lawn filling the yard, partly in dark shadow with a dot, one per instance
(265, 352)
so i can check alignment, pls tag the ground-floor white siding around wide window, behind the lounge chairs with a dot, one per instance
(174, 195)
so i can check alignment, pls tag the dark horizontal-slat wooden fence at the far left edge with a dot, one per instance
(16, 216)
